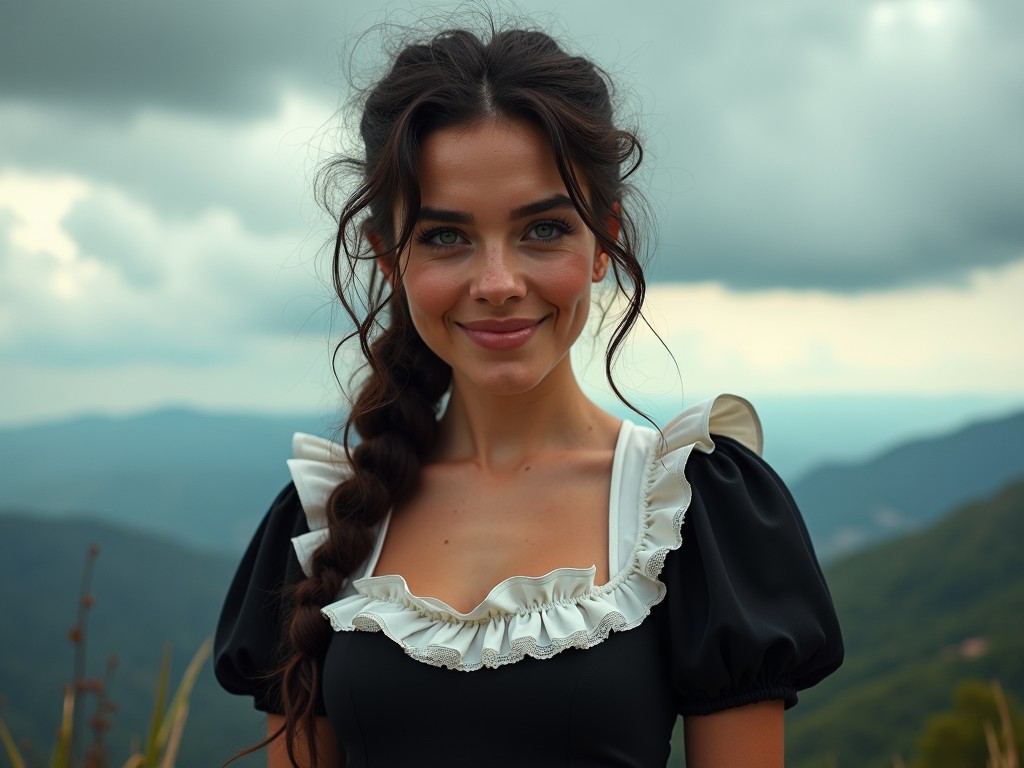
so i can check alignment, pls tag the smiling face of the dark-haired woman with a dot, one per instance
(499, 272)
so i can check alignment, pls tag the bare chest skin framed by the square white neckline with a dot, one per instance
(466, 533)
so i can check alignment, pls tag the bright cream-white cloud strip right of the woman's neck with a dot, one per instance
(926, 342)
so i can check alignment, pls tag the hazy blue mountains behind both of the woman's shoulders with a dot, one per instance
(206, 480)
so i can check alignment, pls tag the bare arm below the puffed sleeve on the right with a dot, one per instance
(750, 737)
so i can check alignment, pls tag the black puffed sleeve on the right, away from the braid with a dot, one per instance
(751, 618)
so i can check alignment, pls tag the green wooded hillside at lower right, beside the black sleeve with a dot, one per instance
(919, 615)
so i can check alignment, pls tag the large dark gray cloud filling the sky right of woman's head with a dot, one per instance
(868, 149)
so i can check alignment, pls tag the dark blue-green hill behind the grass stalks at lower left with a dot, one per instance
(149, 592)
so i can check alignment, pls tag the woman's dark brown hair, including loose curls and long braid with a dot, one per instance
(454, 79)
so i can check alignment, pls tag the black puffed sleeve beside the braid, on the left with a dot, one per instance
(249, 647)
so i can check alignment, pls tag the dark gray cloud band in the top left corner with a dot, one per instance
(221, 58)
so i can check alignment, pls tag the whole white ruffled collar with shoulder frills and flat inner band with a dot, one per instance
(536, 617)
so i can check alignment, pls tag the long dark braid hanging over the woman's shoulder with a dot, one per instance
(396, 415)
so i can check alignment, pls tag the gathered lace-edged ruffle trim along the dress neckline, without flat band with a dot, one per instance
(540, 617)
